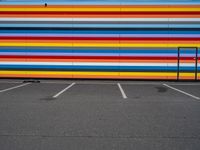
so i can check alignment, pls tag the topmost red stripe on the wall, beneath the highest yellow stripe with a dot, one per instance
(97, 13)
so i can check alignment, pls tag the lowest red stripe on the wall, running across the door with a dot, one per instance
(98, 57)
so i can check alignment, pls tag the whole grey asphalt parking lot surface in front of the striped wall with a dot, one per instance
(99, 115)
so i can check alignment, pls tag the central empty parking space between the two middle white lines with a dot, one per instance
(92, 93)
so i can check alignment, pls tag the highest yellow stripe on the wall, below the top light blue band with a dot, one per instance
(102, 9)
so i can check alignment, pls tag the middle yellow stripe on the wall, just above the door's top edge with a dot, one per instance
(102, 44)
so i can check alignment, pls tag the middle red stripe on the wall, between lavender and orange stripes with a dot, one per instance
(99, 38)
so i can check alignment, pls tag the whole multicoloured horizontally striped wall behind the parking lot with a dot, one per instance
(98, 41)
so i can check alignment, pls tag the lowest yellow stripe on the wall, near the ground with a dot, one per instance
(95, 73)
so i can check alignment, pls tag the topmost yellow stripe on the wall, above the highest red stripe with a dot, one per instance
(132, 9)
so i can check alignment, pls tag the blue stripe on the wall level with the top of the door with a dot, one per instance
(89, 51)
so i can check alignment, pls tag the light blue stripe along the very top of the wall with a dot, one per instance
(89, 3)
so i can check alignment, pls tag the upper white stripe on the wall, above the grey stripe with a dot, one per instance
(101, 19)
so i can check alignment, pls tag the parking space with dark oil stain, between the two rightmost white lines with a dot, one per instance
(155, 93)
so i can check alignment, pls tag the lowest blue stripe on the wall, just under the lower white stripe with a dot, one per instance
(99, 68)
